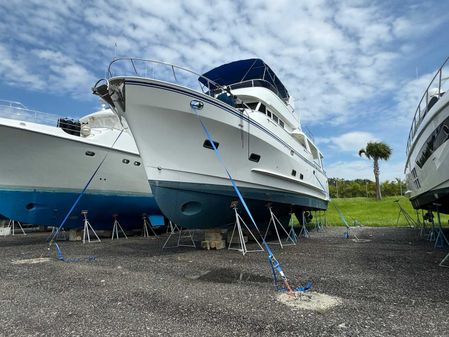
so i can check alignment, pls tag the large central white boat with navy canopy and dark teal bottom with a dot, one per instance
(246, 109)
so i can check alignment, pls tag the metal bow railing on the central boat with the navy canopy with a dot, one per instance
(211, 85)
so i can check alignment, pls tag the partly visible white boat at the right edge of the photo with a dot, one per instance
(427, 166)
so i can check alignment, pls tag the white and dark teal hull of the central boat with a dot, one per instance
(185, 173)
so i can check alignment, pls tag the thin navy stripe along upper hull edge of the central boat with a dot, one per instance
(231, 111)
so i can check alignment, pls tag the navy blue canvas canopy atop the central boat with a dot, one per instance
(246, 73)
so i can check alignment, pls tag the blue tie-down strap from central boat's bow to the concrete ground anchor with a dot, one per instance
(275, 265)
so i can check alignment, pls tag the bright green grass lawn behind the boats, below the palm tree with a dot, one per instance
(370, 212)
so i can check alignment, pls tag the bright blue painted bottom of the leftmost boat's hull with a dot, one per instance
(50, 207)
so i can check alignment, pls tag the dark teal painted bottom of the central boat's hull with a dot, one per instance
(209, 206)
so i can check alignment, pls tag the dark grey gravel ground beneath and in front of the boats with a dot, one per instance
(389, 286)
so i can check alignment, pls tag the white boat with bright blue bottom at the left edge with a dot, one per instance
(44, 168)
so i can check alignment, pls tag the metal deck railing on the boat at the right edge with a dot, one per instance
(419, 115)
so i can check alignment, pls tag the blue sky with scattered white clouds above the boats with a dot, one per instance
(356, 69)
